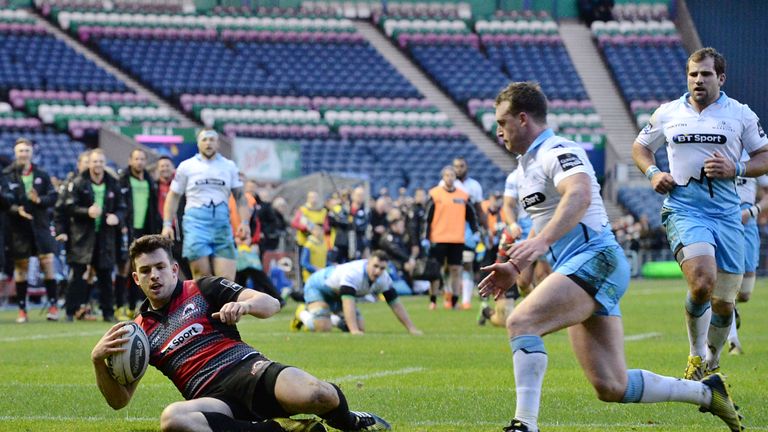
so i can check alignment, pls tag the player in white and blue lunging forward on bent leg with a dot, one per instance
(558, 188)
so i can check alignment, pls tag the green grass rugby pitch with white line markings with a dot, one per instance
(457, 377)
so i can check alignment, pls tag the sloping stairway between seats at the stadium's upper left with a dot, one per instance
(128, 80)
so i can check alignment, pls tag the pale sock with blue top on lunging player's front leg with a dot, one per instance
(529, 358)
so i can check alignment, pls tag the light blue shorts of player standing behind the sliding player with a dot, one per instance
(207, 232)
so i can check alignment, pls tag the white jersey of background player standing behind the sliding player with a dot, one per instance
(206, 182)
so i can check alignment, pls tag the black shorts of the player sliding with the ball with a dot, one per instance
(248, 388)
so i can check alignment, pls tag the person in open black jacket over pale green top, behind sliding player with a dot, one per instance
(142, 217)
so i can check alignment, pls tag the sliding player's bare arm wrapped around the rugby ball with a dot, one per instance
(116, 394)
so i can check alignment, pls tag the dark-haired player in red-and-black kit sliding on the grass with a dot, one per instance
(228, 385)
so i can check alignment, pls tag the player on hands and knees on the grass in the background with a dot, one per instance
(334, 290)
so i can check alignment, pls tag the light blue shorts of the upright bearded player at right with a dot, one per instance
(726, 234)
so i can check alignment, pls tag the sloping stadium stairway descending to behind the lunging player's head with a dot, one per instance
(431, 92)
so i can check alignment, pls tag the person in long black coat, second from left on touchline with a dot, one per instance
(96, 208)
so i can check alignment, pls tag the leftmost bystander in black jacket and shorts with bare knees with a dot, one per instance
(30, 195)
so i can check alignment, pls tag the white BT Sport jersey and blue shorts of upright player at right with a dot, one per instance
(700, 209)
